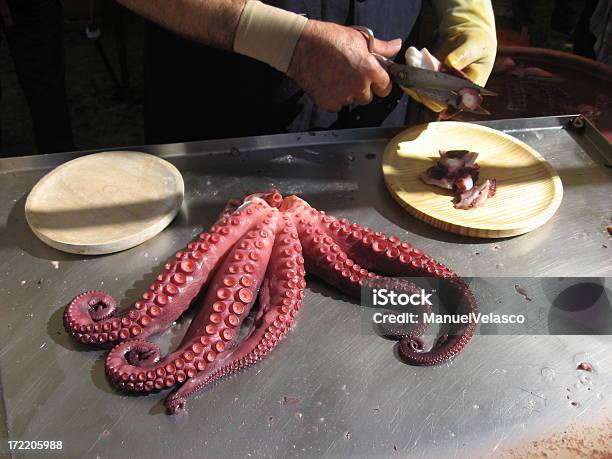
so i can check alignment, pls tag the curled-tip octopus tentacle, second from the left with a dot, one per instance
(230, 297)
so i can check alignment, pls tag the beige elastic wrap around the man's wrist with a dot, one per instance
(268, 34)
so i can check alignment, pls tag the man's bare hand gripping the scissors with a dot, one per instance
(333, 65)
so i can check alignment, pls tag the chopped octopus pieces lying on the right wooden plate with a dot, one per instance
(458, 171)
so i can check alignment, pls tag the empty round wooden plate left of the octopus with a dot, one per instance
(105, 202)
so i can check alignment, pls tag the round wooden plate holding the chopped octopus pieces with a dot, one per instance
(529, 191)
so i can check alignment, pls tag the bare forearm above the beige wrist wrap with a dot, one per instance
(211, 22)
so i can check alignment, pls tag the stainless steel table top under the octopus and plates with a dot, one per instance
(353, 397)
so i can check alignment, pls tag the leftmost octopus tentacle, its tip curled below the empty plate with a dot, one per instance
(90, 317)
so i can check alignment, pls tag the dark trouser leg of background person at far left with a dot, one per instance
(35, 40)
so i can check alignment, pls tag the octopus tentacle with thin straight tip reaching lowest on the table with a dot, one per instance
(280, 299)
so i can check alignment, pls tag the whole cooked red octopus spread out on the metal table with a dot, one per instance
(246, 280)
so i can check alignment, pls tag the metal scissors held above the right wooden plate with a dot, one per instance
(447, 86)
